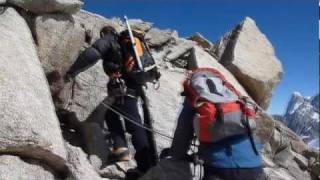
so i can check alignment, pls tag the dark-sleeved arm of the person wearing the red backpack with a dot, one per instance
(183, 133)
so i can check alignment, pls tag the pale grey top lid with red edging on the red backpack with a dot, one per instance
(210, 85)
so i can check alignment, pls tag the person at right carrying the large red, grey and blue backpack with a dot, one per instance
(220, 118)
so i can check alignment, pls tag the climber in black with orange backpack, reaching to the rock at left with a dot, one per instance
(125, 86)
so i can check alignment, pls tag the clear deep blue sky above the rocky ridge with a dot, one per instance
(290, 25)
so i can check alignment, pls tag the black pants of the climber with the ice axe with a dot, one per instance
(128, 106)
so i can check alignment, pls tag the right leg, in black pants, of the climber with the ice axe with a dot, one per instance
(139, 135)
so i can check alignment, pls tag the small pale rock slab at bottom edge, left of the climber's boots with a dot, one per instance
(80, 167)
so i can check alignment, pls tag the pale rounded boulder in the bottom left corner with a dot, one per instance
(13, 167)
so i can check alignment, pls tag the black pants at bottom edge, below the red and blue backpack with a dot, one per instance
(233, 174)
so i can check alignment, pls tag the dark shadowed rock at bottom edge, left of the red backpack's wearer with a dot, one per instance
(166, 169)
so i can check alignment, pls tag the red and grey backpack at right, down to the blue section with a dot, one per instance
(221, 110)
